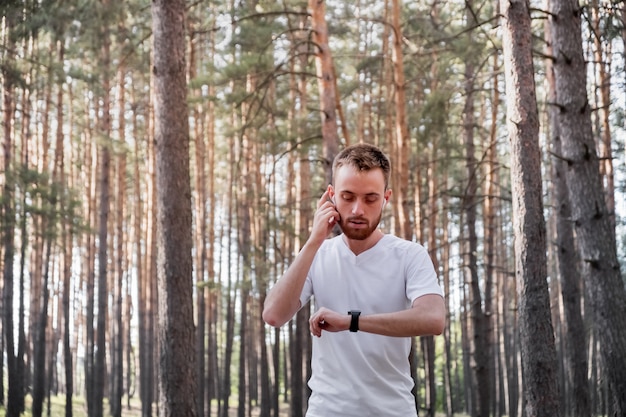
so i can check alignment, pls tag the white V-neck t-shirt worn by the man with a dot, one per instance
(362, 374)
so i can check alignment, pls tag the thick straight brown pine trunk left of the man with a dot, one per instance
(177, 378)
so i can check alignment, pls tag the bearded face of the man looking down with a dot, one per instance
(360, 197)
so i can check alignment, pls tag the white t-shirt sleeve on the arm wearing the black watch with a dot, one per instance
(421, 275)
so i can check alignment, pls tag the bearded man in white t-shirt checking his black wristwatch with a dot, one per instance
(372, 293)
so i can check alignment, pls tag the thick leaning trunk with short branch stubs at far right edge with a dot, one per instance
(592, 221)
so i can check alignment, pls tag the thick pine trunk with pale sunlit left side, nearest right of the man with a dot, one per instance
(536, 334)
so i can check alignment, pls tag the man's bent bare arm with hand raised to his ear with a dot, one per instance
(283, 300)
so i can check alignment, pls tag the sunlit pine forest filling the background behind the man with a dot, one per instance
(161, 161)
